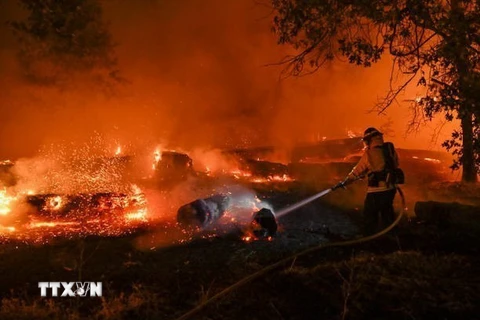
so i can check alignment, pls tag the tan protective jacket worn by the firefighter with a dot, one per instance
(373, 164)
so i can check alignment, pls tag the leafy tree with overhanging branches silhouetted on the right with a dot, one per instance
(433, 42)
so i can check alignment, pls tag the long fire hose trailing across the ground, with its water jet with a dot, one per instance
(293, 257)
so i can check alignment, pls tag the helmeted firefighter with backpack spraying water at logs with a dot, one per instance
(378, 163)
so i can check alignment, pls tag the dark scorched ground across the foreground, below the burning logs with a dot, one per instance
(425, 272)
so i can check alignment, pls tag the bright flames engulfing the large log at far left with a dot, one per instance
(111, 214)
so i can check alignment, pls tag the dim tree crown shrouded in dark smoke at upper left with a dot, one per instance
(61, 38)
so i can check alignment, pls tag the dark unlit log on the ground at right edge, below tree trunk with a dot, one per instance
(445, 213)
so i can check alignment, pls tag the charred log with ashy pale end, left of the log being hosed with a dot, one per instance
(203, 212)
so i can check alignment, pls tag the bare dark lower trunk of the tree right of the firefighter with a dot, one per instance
(469, 172)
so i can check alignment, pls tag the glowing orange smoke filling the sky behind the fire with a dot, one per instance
(197, 79)
